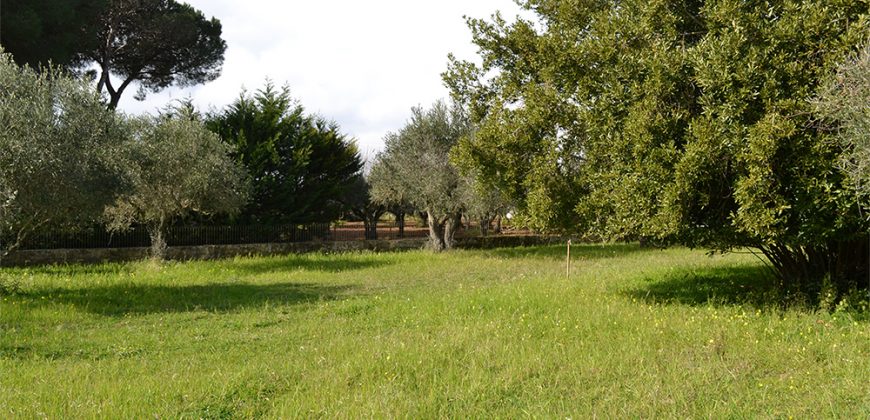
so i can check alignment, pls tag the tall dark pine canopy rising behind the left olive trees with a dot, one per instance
(156, 43)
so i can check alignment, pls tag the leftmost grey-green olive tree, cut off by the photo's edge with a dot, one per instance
(59, 152)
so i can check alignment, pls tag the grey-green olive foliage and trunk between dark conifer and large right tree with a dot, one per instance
(415, 172)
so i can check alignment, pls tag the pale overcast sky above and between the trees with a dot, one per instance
(363, 64)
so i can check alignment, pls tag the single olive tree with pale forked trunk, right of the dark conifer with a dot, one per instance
(416, 166)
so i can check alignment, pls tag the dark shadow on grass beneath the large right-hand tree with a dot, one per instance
(753, 285)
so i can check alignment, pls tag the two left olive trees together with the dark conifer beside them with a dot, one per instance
(67, 161)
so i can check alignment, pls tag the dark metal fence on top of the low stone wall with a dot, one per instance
(190, 235)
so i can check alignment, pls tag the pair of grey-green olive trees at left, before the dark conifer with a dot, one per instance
(67, 161)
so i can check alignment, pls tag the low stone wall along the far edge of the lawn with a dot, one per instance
(207, 252)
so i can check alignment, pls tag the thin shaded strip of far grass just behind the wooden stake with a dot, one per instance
(587, 251)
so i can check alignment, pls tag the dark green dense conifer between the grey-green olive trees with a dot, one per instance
(300, 164)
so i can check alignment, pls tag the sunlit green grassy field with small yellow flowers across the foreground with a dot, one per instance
(499, 333)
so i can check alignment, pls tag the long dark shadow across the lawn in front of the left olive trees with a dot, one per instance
(122, 299)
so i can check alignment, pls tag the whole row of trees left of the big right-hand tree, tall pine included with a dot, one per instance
(69, 161)
